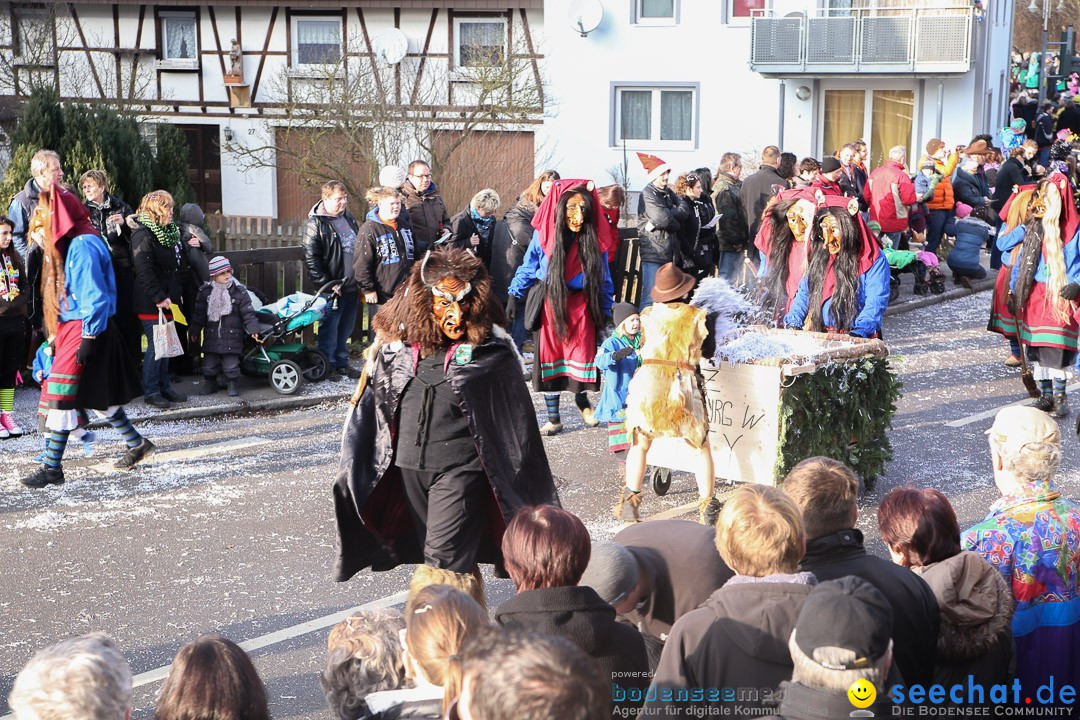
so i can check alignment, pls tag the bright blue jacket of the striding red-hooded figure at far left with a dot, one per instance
(90, 284)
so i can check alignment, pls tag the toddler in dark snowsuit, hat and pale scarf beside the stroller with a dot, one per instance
(224, 315)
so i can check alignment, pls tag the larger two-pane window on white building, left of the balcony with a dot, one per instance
(656, 117)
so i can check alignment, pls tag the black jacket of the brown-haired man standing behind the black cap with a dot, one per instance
(915, 618)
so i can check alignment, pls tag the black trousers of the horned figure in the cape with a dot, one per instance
(448, 511)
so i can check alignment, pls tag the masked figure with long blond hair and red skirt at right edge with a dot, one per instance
(1045, 286)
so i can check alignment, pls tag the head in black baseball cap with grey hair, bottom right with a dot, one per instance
(845, 624)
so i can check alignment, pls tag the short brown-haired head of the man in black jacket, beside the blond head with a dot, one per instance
(827, 492)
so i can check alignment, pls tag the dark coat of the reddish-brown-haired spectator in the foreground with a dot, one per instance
(578, 615)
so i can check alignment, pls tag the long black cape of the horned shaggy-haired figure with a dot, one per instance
(375, 528)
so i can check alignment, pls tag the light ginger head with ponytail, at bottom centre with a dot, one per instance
(437, 628)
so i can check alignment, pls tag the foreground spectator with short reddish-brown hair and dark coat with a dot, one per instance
(546, 550)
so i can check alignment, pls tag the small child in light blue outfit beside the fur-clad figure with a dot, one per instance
(618, 360)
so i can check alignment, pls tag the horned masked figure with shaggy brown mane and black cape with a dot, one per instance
(441, 447)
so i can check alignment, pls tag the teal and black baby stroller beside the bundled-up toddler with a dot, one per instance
(289, 364)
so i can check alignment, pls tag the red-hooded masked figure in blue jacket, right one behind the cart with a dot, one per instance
(846, 288)
